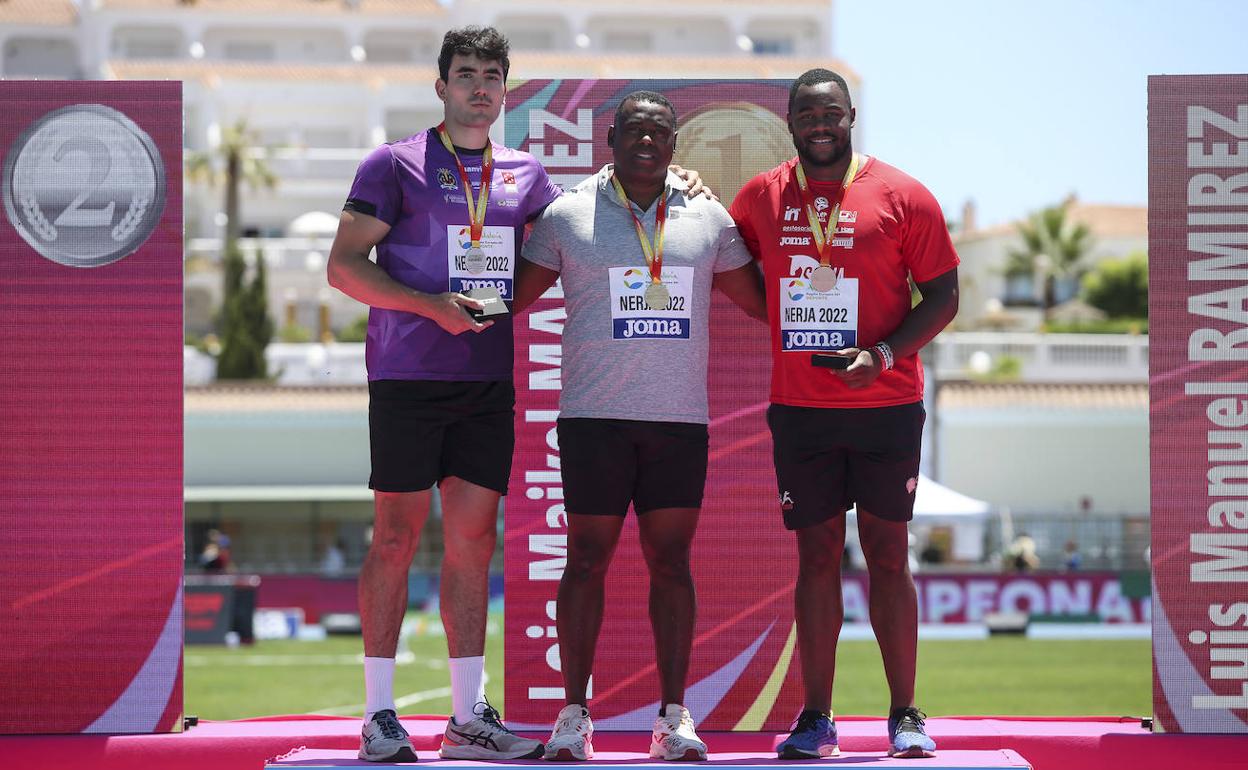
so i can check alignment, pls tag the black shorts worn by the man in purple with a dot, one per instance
(424, 431)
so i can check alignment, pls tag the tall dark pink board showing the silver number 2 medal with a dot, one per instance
(92, 407)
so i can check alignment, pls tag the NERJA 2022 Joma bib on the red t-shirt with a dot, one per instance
(818, 321)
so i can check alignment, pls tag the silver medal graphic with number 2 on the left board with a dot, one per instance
(84, 185)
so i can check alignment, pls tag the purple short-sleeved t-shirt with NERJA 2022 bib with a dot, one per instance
(414, 187)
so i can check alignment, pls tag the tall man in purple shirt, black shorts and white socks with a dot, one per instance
(446, 210)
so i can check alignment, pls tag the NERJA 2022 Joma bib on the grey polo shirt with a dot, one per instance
(632, 319)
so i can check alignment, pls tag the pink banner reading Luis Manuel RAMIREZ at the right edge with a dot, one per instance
(1199, 390)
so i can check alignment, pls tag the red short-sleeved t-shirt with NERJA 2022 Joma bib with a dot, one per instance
(890, 228)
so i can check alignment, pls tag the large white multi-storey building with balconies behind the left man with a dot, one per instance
(321, 83)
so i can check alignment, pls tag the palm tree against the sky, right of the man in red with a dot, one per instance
(1053, 248)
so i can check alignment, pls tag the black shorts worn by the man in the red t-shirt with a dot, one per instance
(829, 460)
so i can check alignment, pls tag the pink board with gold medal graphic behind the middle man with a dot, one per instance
(743, 671)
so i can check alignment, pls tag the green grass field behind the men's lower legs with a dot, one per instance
(1002, 676)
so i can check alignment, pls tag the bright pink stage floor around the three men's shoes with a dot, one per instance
(1045, 743)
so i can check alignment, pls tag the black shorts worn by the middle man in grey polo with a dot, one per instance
(608, 464)
